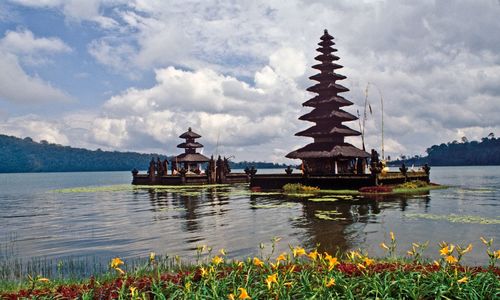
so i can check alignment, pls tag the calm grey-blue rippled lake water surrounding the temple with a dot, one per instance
(100, 215)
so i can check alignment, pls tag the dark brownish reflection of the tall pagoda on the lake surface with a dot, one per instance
(347, 231)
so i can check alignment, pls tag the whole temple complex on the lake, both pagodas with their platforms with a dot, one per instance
(329, 162)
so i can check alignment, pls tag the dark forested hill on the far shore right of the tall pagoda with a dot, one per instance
(464, 153)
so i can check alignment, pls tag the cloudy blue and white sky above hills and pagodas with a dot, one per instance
(133, 75)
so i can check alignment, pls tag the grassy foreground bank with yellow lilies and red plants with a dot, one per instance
(296, 274)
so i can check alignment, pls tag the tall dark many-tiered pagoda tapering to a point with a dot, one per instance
(329, 153)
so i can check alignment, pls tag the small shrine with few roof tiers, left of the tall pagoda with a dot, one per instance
(190, 160)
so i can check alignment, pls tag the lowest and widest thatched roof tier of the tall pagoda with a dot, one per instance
(328, 150)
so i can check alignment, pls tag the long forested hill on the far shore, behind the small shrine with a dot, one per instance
(25, 155)
